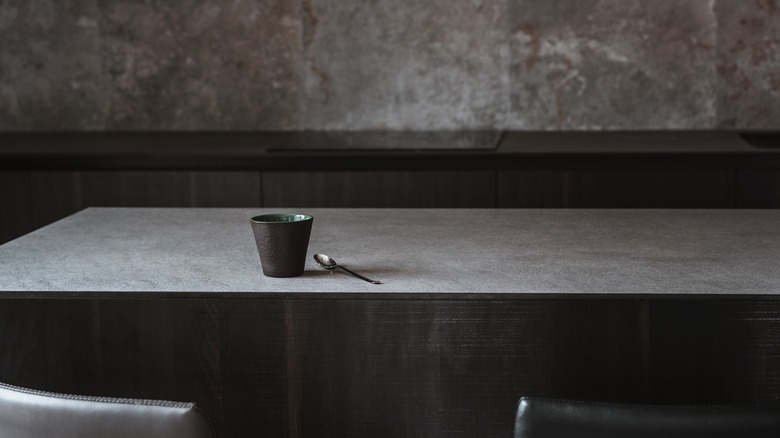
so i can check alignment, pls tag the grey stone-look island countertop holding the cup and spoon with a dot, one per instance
(413, 251)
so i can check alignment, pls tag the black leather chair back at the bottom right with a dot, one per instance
(549, 418)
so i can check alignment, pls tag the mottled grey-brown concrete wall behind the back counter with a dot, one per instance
(389, 64)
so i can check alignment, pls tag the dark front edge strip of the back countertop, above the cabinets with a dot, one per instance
(396, 161)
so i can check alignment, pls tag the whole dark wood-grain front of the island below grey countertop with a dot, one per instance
(392, 367)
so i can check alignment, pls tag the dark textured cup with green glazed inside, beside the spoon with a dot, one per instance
(282, 241)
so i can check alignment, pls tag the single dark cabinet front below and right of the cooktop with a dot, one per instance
(616, 189)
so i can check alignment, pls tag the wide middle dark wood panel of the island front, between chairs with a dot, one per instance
(431, 368)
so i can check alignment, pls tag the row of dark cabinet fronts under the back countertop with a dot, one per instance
(33, 199)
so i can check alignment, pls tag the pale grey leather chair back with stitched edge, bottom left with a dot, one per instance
(27, 413)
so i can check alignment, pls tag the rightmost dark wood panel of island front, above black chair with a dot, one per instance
(714, 351)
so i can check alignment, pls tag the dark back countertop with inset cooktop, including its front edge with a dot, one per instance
(398, 151)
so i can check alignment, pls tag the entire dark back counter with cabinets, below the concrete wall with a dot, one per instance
(47, 176)
